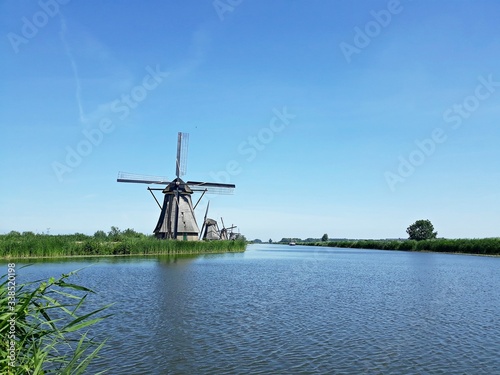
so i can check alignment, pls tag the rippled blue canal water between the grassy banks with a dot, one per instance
(294, 310)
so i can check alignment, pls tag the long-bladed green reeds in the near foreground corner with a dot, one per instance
(46, 331)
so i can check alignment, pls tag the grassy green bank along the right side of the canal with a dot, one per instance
(484, 246)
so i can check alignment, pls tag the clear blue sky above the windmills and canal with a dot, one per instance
(353, 119)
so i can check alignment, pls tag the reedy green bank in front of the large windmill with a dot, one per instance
(115, 242)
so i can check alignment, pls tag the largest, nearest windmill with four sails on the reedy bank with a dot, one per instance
(177, 220)
